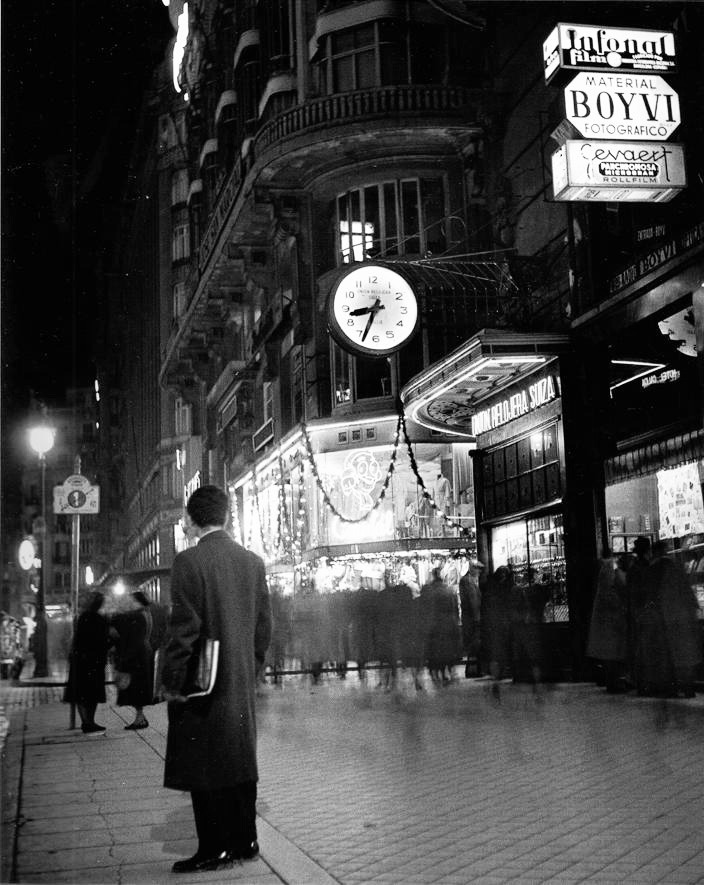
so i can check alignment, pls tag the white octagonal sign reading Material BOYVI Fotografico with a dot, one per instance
(622, 106)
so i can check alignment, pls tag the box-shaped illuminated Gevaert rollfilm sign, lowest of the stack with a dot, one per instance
(616, 171)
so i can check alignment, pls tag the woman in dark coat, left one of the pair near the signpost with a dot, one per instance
(89, 655)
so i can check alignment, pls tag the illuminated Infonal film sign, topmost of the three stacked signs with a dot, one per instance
(593, 48)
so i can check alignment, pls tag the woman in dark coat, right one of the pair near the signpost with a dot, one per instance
(134, 659)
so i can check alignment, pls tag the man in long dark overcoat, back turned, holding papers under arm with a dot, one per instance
(218, 591)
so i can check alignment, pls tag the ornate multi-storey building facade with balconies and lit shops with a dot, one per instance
(300, 140)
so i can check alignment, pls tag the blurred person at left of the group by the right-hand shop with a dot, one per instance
(608, 632)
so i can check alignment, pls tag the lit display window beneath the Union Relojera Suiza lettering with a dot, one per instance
(534, 551)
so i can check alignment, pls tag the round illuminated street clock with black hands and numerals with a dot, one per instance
(372, 311)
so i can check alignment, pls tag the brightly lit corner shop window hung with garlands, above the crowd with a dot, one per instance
(296, 511)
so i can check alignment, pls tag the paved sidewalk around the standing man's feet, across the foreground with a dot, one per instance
(359, 785)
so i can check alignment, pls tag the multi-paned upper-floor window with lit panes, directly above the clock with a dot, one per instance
(392, 218)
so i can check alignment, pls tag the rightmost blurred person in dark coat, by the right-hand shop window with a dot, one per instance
(681, 641)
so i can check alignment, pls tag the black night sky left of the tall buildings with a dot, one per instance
(73, 72)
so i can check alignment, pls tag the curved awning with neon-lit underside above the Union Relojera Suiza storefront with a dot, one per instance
(445, 396)
